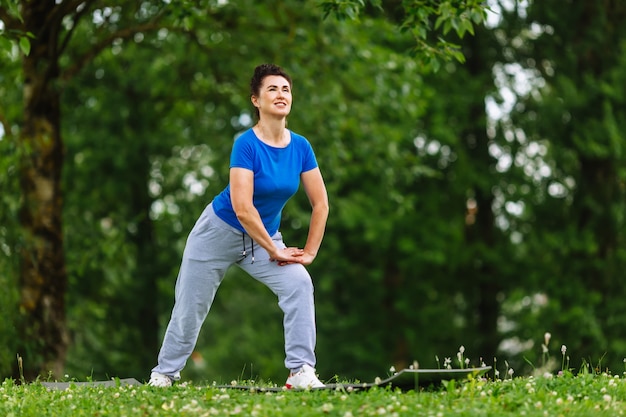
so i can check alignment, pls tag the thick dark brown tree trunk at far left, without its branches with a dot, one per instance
(43, 279)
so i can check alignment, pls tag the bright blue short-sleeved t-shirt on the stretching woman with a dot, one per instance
(276, 176)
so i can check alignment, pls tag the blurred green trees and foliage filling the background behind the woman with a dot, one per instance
(474, 158)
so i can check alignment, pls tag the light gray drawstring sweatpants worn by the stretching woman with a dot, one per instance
(212, 247)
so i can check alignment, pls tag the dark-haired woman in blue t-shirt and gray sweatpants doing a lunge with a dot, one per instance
(240, 226)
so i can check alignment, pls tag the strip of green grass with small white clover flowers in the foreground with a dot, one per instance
(587, 394)
